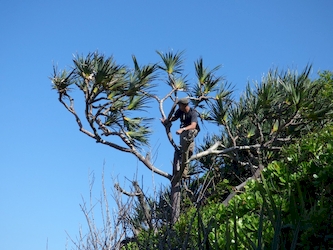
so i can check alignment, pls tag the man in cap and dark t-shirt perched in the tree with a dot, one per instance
(189, 129)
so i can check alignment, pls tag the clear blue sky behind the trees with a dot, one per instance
(45, 161)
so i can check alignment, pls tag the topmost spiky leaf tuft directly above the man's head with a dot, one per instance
(173, 63)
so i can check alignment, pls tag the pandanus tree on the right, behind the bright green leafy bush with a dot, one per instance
(269, 115)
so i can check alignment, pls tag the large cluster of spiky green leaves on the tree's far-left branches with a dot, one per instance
(114, 95)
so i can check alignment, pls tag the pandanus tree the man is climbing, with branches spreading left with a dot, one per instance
(116, 96)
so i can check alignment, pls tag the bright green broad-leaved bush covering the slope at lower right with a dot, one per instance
(289, 207)
